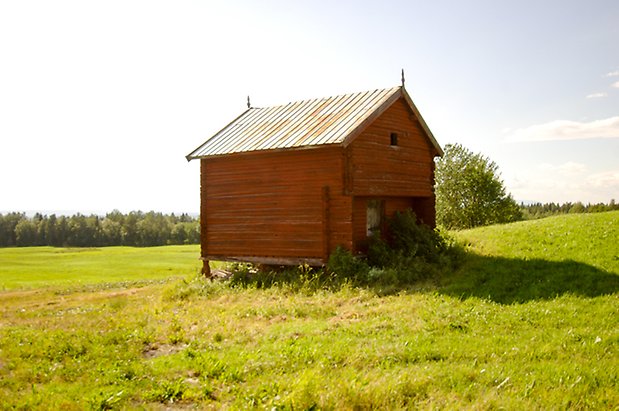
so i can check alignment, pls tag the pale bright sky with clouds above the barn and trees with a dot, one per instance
(101, 101)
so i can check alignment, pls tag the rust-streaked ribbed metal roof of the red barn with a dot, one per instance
(307, 123)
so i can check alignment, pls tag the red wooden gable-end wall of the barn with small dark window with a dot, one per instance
(391, 161)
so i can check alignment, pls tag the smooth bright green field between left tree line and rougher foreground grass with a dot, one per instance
(29, 267)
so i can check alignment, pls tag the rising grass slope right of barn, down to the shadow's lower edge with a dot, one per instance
(540, 259)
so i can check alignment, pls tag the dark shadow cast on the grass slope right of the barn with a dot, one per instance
(509, 281)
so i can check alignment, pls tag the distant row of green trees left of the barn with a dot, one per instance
(133, 229)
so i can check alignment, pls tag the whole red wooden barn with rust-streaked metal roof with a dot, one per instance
(288, 184)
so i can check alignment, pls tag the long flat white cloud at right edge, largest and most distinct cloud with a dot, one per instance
(567, 130)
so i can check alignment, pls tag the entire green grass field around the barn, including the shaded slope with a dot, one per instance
(515, 327)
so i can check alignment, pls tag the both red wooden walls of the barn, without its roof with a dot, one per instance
(295, 206)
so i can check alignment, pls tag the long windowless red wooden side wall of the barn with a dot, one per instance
(278, 205)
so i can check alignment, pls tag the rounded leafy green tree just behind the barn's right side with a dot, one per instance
(469, 192)
